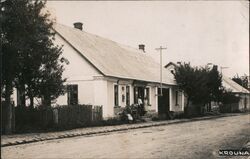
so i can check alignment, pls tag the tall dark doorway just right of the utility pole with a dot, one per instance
(163, 101)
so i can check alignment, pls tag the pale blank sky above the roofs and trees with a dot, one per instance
(198, 32)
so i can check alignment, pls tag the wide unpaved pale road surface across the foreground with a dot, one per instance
(189, 140)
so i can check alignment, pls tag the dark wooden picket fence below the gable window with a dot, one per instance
(64, 117)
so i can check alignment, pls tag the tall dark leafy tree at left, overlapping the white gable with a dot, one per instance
(30, 60)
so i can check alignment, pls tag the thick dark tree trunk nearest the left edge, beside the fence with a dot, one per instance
(8, 124)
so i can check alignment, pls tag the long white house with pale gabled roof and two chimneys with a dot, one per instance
(103, 72)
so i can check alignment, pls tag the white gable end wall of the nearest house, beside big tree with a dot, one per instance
(79, 71)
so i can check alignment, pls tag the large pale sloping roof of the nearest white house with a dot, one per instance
(113, 59)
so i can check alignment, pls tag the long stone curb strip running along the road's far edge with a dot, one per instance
(128, 127)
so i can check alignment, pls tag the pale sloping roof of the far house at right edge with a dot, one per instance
(229, 84)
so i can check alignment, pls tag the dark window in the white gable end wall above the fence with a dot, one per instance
(72, 94)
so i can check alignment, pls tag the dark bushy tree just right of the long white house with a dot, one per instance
(200, 84)
